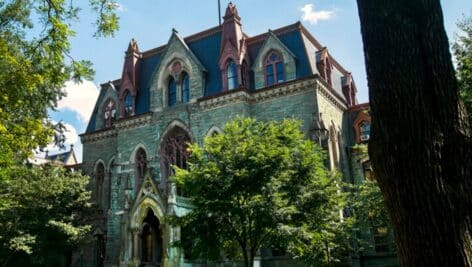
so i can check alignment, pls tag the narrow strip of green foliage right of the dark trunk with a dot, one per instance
(462, 49)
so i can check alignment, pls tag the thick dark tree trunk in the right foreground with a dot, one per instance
(421, 143)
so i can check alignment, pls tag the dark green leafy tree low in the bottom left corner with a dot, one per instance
(40, 215)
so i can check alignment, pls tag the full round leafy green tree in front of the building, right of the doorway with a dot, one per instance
(261, 184)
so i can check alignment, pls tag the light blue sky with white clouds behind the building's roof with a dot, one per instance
(334, 23)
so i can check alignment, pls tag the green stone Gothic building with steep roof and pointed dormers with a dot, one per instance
(185, 90)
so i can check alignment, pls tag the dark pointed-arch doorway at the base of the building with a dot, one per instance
(151, 241)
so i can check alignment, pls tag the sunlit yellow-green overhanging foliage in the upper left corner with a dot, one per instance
(34, 64)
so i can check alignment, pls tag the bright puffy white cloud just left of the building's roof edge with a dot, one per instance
(80, 98)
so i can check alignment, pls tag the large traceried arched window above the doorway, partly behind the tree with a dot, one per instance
(174, 152)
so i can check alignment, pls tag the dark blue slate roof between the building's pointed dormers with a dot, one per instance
(206, 47)
